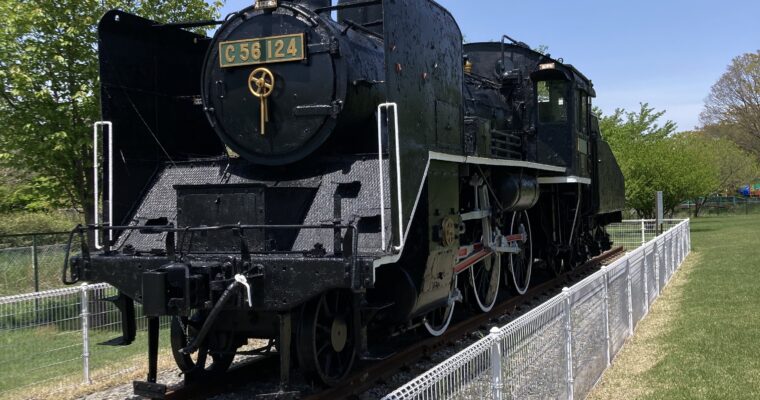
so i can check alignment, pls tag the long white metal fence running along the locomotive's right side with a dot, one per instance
(561, 348)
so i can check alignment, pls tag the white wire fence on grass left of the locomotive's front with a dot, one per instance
(52, 340)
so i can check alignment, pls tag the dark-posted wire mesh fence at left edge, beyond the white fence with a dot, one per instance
(31, 262)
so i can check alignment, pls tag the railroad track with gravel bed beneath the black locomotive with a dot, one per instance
(264, 370)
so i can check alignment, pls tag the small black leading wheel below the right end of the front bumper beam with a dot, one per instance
(326, 340)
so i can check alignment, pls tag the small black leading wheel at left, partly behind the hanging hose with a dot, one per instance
(199, 365)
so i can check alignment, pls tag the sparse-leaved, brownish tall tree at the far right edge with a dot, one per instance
(733, 106)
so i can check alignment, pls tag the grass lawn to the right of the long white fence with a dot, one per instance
(701, 339)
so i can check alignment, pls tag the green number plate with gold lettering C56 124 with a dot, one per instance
(266, 50)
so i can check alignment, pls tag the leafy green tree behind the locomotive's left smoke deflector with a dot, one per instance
(48, 85)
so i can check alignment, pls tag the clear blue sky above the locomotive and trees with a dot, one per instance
(667, 53)
